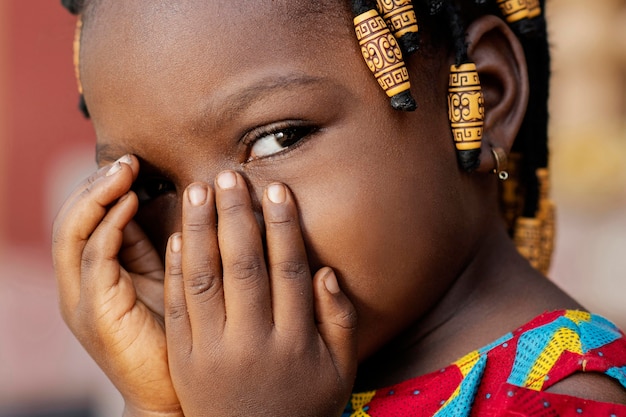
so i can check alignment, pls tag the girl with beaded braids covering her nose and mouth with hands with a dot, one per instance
(271, 234)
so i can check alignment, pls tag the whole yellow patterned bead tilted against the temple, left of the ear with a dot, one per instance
(384, 58)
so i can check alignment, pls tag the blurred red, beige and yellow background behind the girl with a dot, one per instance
(46, 147)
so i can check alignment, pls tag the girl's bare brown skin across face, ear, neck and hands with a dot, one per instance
(358, 238)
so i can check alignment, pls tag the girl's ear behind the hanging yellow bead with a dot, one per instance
(501, 65)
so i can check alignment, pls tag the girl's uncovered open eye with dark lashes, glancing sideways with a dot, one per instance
(285, 135)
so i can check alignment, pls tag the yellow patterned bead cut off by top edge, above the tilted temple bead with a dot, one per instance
(401, 21)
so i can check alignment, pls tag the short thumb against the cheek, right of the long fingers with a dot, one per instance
(336, 321)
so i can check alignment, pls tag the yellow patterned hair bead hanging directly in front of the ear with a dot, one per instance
(466, 107)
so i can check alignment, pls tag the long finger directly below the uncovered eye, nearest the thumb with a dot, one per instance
(291, 286)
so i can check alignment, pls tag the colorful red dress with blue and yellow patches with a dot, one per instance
(508, 378)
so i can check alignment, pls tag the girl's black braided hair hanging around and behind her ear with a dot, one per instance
(523, 196)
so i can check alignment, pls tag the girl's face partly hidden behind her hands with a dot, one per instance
(278, 91)
